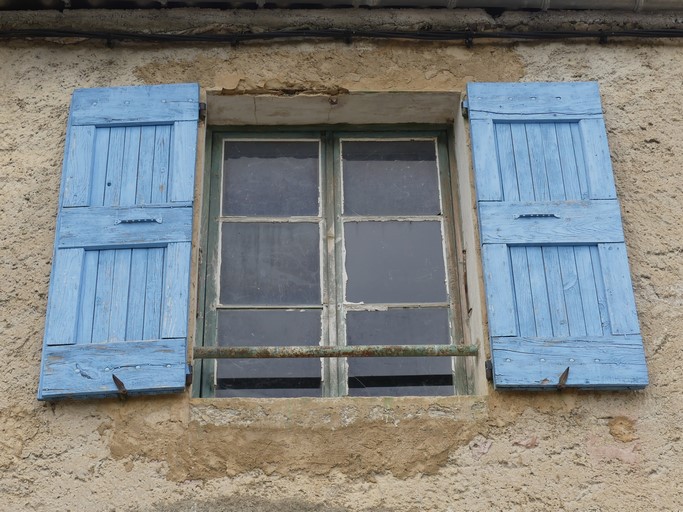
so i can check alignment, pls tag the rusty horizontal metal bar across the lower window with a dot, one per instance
(325, 351)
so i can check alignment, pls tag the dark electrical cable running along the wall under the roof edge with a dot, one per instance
(468, 36)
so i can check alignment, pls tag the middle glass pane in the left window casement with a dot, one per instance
(266, 263)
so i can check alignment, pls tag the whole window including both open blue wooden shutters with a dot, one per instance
(349, 239)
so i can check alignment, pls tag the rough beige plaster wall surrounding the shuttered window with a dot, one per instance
(505, 451)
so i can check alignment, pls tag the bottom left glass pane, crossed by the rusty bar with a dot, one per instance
(268, 377)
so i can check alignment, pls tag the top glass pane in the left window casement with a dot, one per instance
(270, 178)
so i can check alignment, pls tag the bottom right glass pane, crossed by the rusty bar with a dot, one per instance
(399, 376)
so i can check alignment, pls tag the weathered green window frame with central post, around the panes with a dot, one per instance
(335, 377)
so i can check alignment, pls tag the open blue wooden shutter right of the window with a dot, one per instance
(558, 287)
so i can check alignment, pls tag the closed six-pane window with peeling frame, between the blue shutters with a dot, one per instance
(331, 238)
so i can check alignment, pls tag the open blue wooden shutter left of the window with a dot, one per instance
(119, 287)
